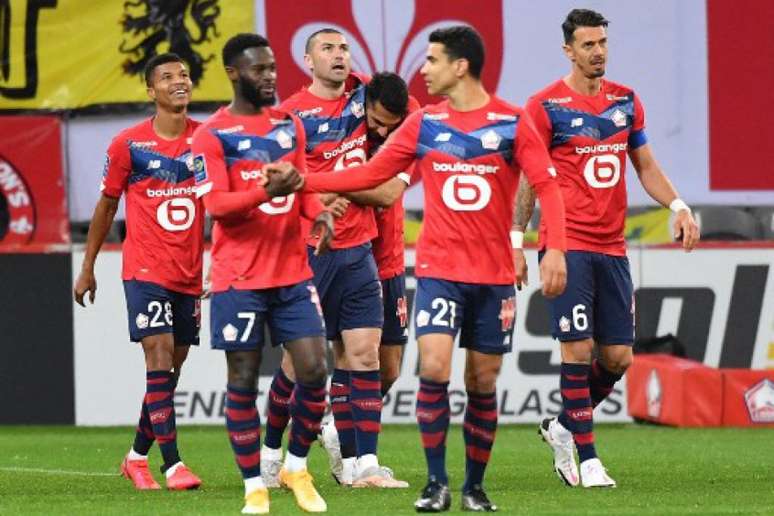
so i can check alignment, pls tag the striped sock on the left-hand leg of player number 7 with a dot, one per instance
(244, 429)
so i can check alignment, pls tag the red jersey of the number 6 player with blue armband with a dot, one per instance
(588, 139)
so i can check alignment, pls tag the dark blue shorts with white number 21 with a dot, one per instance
(483, 313)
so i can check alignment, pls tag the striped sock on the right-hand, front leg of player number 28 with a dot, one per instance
(159, 396)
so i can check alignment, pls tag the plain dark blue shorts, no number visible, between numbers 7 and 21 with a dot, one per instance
(349, 287)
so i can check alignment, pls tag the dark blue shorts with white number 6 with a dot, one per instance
(598, 302)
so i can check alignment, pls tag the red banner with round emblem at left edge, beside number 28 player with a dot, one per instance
(33, 208)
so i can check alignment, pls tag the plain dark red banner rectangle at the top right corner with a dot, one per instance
(741, 78)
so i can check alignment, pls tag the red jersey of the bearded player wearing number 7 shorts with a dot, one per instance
(262, 247)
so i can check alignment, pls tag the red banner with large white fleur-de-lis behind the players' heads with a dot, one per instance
(390, 35)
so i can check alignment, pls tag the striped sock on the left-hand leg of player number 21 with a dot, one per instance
(433, 415)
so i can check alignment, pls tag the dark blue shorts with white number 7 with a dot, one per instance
(238, 317)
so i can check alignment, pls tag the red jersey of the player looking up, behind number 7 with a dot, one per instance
(336, 139)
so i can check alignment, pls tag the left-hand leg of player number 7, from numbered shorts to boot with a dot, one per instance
(237, 326)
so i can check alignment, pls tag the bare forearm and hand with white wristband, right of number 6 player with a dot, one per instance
(660, 188)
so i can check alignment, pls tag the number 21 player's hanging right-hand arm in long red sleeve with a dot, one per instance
(533, 158)
